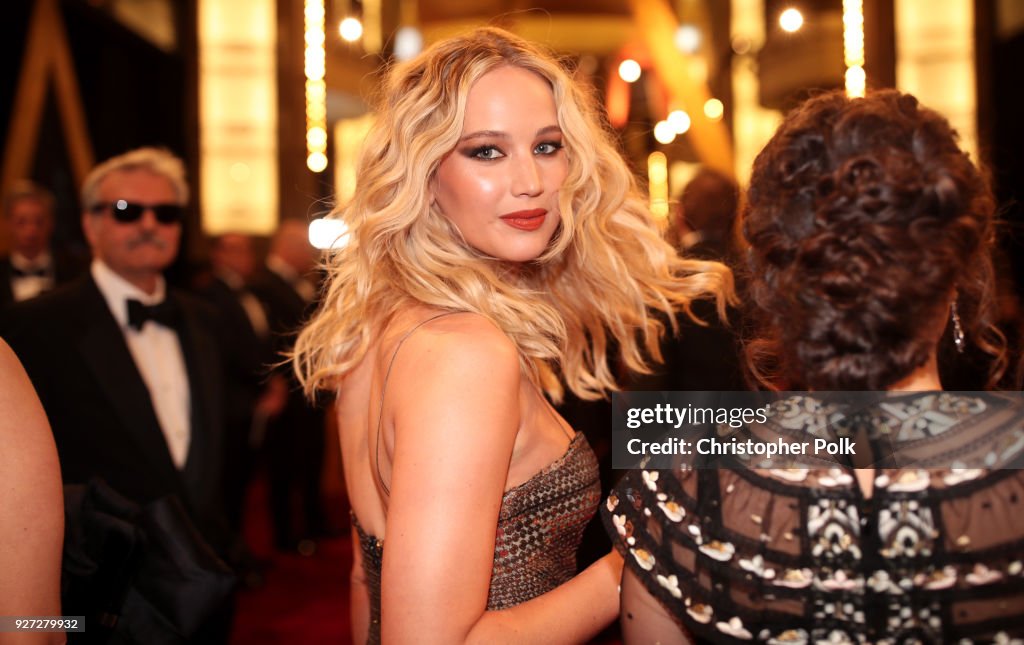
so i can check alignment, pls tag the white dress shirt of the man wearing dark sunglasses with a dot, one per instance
(158, 356)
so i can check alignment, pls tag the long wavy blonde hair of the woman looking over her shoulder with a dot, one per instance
(605, 272)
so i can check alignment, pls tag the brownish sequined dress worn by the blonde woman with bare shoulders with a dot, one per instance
(540, 526)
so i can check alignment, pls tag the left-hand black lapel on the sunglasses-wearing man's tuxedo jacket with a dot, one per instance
(107, 354)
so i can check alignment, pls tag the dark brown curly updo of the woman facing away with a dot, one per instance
(865, 219)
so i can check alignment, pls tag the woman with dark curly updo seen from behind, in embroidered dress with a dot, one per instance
(870, 233)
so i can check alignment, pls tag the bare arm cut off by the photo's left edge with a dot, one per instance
(31, 505)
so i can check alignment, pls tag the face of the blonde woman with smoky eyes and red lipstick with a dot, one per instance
(500, 185)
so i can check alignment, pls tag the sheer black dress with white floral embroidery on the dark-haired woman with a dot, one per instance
(784, 550)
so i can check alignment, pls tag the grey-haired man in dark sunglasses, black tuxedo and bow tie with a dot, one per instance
(130, 370)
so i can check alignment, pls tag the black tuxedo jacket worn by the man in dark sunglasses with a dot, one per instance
(100, 408)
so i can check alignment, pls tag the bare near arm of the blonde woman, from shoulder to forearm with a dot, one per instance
(456, 418)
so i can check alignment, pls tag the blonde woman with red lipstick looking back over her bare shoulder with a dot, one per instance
(499, 245)
